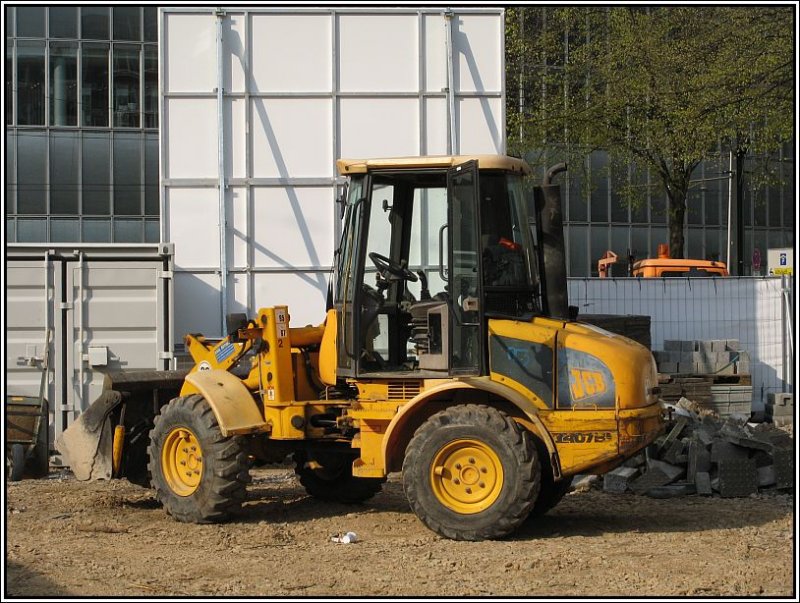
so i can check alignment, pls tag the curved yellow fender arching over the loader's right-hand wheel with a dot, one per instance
(418, 409)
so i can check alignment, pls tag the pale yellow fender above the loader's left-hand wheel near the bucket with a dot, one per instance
(236, 410)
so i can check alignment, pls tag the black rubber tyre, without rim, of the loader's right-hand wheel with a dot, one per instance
(513, 445)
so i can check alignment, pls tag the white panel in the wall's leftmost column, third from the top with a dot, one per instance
(193, 222)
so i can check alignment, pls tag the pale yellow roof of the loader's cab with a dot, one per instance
(485, 162)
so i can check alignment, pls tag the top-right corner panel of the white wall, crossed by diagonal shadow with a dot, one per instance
(478, 51)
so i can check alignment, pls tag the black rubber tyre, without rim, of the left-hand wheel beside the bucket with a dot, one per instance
(223, 484)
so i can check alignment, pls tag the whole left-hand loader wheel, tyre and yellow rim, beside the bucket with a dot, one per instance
(199, 475)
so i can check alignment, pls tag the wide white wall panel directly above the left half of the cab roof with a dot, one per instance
(379, 127)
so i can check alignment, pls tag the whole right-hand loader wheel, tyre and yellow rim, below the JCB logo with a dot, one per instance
(471, 473)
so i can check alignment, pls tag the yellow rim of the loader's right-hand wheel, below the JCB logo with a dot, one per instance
(467, 476)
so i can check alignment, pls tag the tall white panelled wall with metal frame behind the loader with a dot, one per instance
(275, 96)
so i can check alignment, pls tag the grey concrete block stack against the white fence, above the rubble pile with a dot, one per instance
(702, 357)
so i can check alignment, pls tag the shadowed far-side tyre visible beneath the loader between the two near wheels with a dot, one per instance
(339, 485)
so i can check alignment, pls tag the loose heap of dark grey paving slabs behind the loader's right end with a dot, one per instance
(708, 456)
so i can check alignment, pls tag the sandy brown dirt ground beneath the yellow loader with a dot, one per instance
(75, 539)
